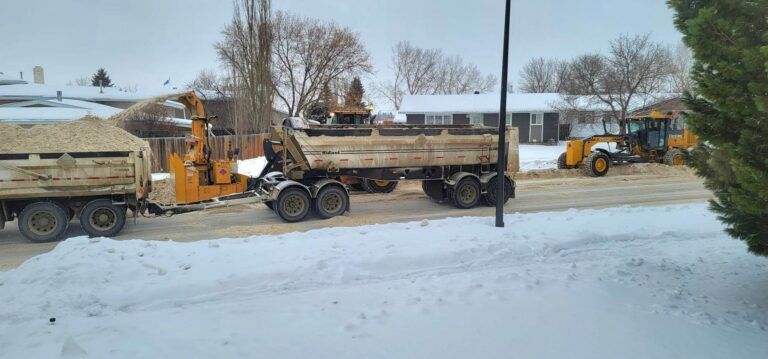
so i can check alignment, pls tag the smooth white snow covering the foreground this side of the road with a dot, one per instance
(661, 282)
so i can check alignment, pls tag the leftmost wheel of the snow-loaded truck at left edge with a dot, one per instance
(43, 221)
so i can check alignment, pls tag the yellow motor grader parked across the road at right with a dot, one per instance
(648, 138)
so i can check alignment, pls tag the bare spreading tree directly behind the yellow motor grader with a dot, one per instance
(635, 67)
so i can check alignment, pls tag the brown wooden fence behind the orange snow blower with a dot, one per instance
(250, 146)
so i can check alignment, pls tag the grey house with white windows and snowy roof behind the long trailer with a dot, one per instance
(535, 115)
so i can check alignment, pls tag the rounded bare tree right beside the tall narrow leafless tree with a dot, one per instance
(307, 54)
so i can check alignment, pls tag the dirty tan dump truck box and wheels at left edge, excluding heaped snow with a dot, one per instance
(45, 191)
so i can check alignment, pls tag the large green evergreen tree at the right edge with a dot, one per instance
(730, 109)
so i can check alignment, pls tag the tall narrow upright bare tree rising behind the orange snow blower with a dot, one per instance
(246, 51)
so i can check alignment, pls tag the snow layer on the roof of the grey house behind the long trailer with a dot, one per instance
(482, 103)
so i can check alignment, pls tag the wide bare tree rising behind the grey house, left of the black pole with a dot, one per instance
(420, 71)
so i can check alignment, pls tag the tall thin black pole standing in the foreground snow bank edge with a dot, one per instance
(502, 165)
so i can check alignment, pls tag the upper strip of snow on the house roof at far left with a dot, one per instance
(88, 93)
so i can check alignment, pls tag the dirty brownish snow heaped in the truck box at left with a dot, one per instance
(88, 134)
